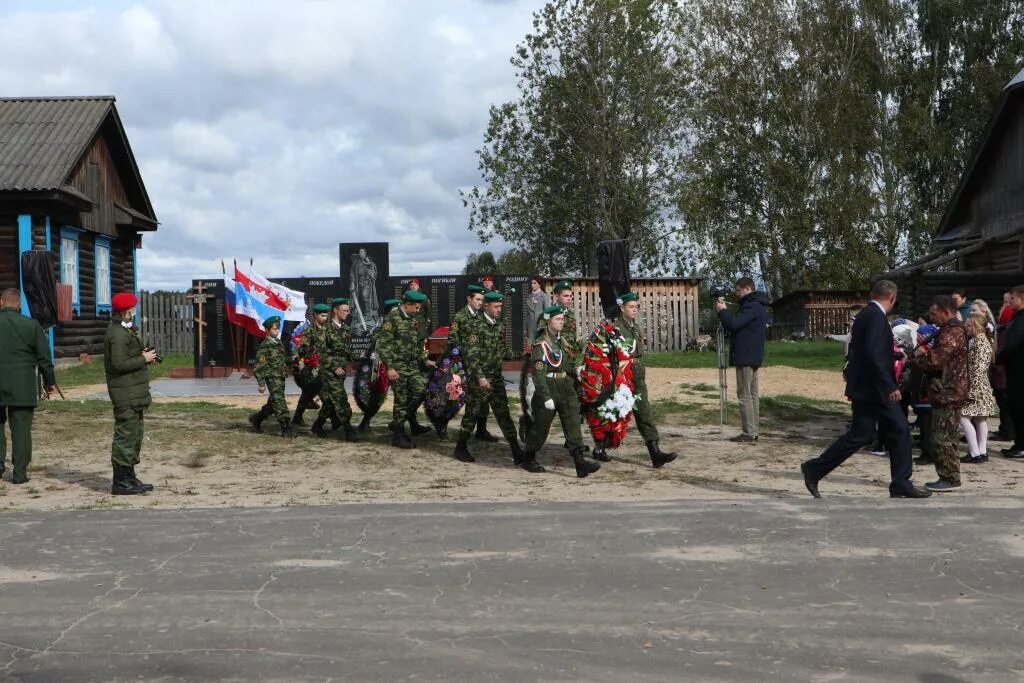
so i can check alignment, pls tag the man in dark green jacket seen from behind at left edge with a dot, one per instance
(23, 350)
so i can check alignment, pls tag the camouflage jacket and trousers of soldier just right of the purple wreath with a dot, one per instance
(486, 349)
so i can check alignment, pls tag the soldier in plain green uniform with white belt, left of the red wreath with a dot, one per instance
(554, 394)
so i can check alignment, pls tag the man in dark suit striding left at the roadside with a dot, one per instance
(871, 386)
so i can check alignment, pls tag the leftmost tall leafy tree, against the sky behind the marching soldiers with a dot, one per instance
(593, 147)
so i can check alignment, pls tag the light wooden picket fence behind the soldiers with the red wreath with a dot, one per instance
(668, 310)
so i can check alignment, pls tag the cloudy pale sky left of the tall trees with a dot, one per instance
(277, 131)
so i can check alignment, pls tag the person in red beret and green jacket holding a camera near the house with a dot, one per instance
(125, 363)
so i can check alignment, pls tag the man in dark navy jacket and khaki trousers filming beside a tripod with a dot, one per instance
(748, 332)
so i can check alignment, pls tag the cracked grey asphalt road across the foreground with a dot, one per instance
(838, 590)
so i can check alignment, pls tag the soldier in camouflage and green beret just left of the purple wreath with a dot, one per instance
(400, 349)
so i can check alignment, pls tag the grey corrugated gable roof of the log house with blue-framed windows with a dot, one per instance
(42, 141)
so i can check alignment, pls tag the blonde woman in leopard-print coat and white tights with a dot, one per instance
(980, 402)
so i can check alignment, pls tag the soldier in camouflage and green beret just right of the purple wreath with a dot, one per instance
(485, 351)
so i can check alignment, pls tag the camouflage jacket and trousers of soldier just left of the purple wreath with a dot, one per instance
(400, 348)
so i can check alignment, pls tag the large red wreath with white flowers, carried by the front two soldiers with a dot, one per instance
(607, 385)
